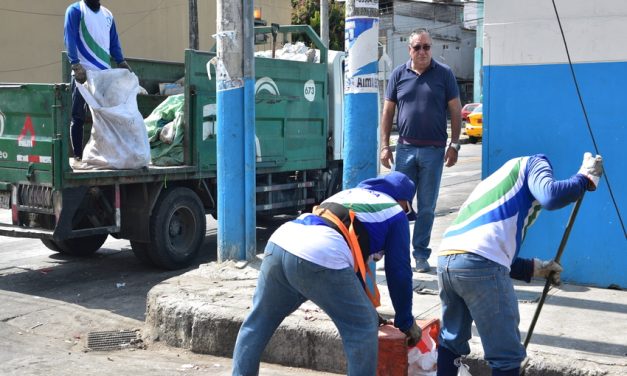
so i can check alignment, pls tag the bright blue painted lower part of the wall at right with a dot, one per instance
(534, 109)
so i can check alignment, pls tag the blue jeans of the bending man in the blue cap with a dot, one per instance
(285, 282)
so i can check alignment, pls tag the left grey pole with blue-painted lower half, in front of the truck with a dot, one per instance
(235, 130)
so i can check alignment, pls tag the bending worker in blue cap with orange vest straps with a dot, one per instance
(323, 257)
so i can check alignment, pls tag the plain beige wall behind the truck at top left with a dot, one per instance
(31, 32)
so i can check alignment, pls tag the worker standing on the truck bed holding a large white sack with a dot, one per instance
(91, 40)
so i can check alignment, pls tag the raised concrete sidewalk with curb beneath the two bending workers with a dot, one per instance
(581, 330)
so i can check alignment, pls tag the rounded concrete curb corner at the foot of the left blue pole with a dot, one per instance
(197, 320)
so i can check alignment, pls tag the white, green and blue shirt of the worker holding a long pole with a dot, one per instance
(494, 220)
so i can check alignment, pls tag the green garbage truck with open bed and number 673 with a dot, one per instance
(161, 209)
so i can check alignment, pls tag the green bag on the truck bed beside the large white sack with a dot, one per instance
(165, 131)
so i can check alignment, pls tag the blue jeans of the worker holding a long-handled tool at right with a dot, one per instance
(475, 288)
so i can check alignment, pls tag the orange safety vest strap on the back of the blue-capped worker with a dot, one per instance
(361, 267)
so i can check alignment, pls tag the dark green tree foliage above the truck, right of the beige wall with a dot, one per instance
(307, 12)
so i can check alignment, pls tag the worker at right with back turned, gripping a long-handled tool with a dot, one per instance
(479, 256)
